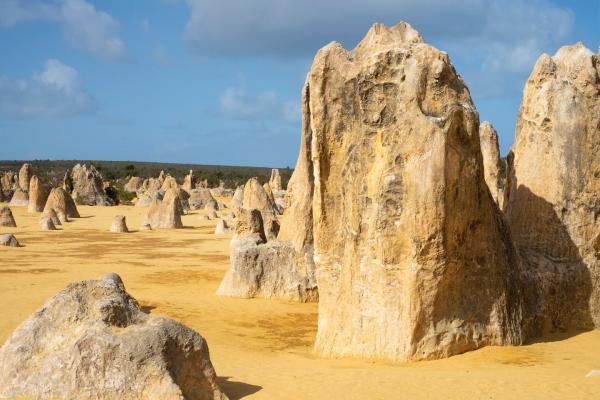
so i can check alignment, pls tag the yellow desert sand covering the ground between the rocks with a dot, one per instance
(262, 349)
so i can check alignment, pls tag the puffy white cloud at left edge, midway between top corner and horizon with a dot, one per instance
(54, 92)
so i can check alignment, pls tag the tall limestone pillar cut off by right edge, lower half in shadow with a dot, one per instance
(553, 202)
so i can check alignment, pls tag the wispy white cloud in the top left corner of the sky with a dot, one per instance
(85, 27)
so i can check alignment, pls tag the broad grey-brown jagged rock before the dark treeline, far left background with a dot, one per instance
(88, 188)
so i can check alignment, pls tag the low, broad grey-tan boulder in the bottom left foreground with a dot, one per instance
(91, 340)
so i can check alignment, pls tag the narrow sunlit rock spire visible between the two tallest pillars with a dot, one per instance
(488, 137)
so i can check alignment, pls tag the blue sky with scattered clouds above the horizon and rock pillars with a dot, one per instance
(218, 81)
